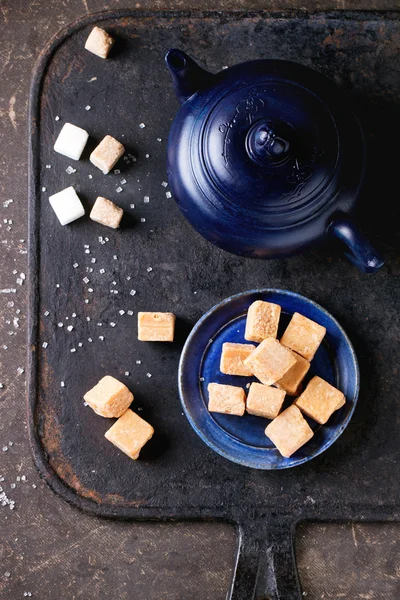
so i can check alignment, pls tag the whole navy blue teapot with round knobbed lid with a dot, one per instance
(265, 158)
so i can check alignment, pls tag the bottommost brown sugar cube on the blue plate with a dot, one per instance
(289, 431)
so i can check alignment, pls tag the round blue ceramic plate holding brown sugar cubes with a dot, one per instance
(242, 439)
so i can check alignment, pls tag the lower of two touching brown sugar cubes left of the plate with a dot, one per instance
(130, 433)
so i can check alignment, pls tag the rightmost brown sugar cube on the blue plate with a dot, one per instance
(320, 399)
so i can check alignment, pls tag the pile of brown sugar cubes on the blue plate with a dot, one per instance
(280, 367)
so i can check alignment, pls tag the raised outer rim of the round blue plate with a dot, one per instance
(184, 358)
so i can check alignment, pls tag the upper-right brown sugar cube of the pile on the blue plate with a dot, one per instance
(303, 336)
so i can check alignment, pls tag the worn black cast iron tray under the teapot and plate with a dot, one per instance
(178, 477)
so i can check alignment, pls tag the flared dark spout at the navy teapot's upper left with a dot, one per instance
(187, 76)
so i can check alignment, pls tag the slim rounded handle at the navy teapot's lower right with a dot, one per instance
(361, 251)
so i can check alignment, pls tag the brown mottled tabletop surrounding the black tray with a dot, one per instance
(51, 549)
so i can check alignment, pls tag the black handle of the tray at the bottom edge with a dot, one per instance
(265, 564)
